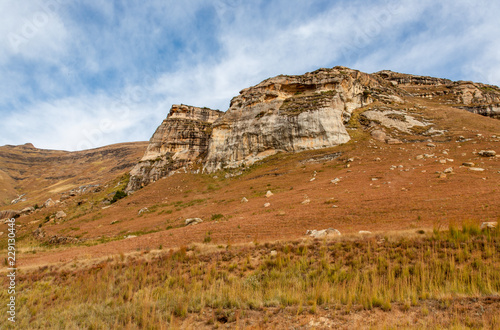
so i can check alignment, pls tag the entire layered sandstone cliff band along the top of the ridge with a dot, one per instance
(294, 113)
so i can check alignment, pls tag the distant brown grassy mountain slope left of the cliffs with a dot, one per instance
(41, 174)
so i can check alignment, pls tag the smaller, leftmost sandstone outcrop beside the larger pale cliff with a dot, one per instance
(180, 141)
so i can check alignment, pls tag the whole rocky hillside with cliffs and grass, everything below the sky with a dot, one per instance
(405, 167)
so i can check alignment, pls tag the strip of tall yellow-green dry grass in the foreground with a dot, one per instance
(362, 274)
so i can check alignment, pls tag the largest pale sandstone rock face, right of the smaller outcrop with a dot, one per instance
(289, 113)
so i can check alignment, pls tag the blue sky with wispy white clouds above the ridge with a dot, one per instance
(78, 74)
